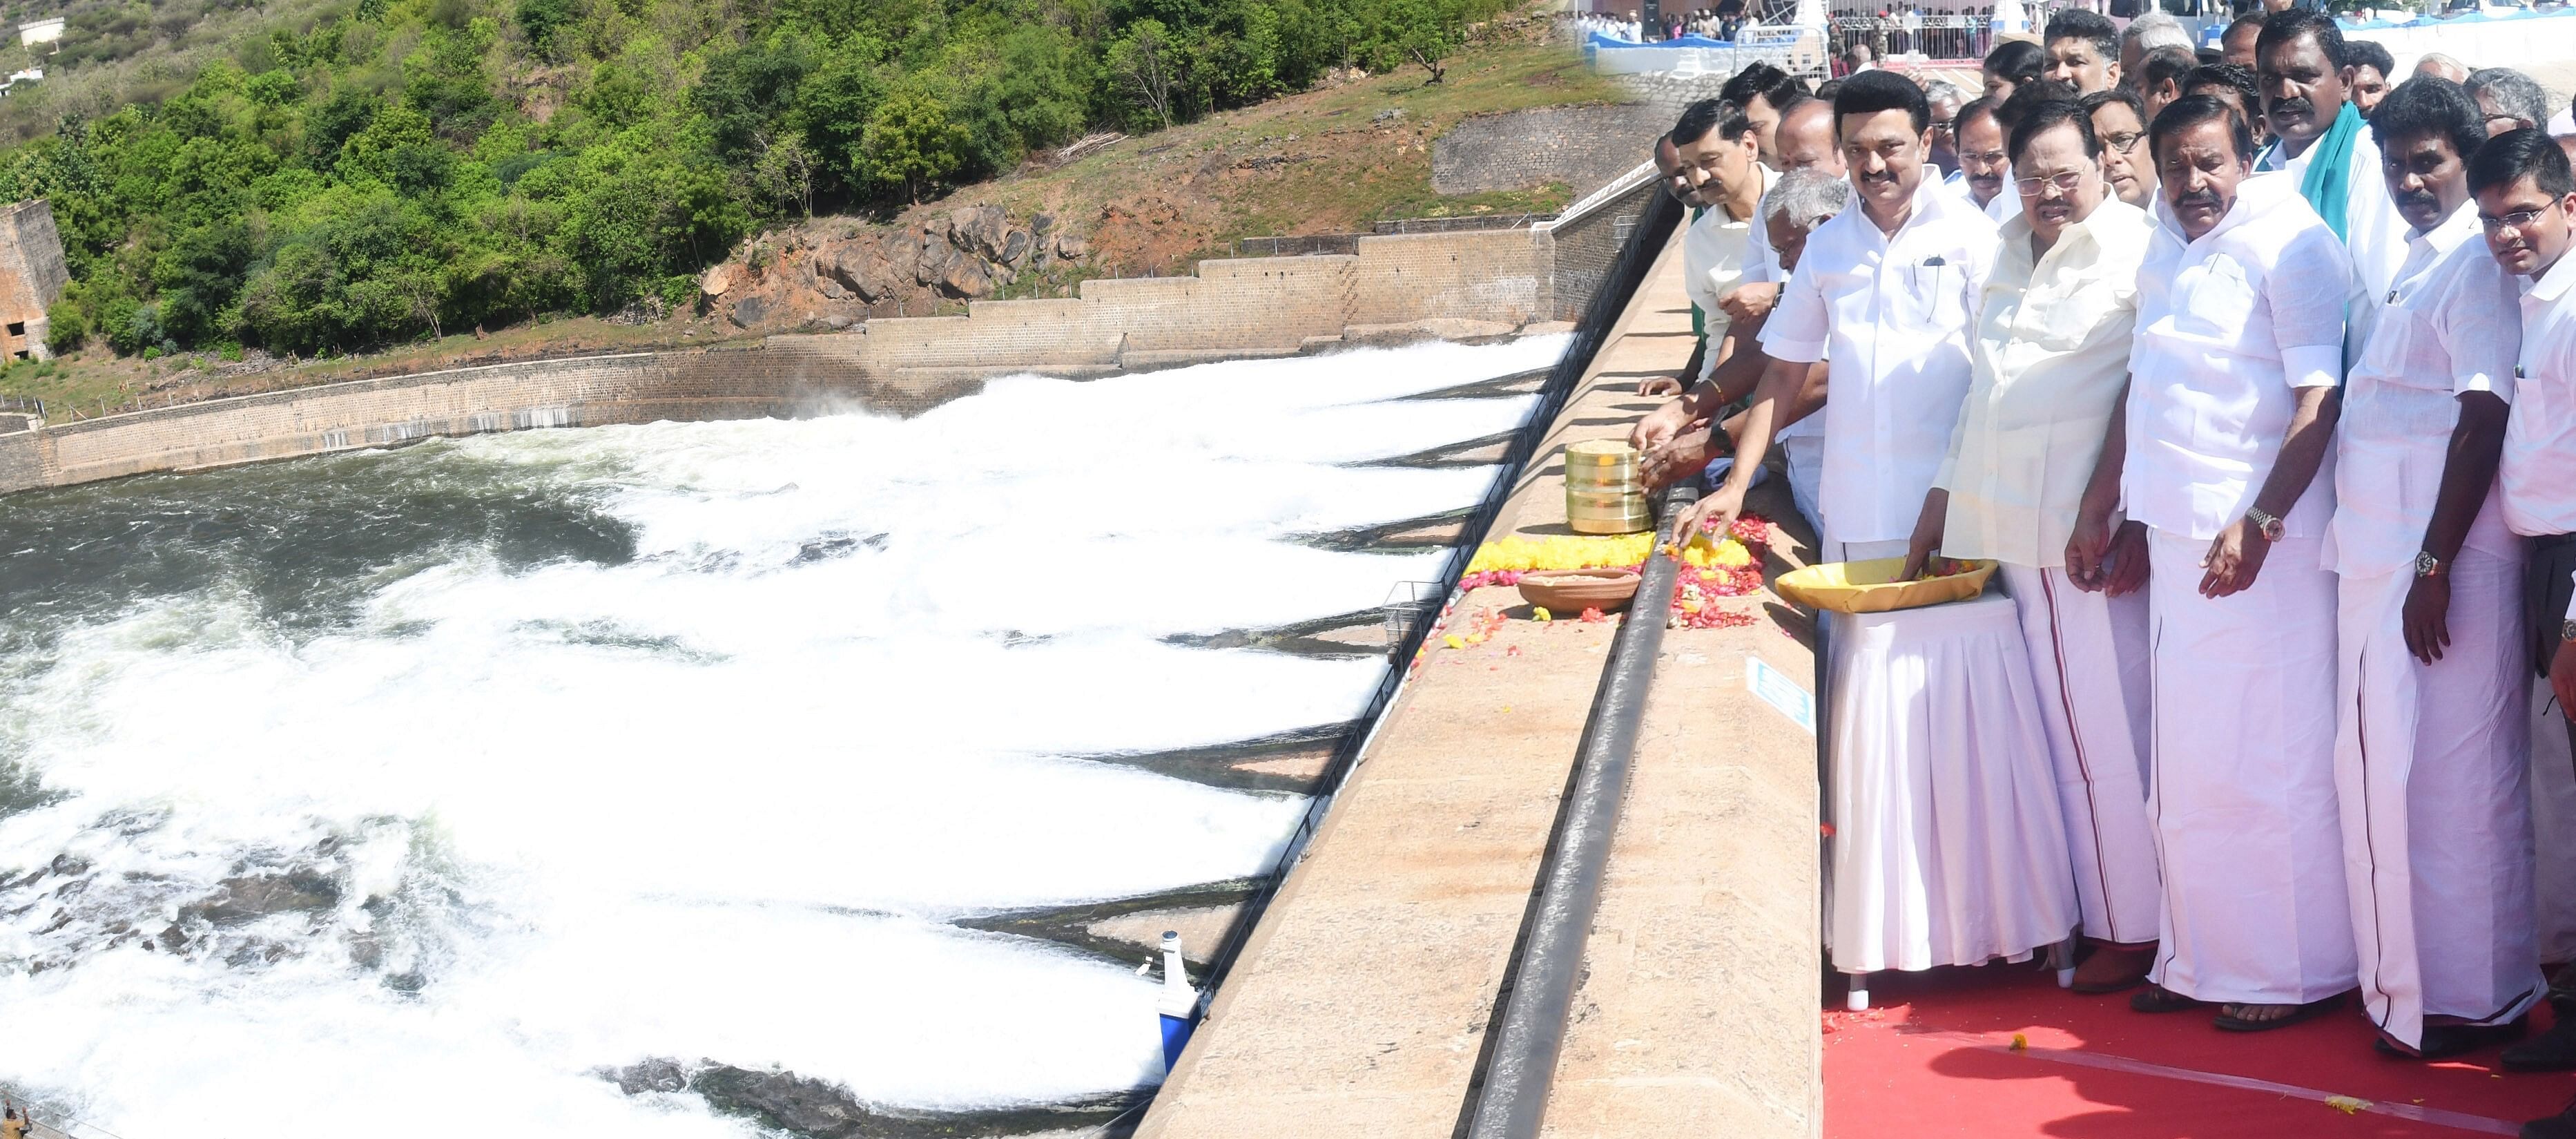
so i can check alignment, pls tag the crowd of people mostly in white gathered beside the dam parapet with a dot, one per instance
(2258, 380)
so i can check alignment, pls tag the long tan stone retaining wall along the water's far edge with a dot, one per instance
(1230, 311)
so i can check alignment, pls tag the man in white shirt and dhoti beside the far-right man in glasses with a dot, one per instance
(2433, 700)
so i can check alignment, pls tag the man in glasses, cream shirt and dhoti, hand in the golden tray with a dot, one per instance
(2052, 367)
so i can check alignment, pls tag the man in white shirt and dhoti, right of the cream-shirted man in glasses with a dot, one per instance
(2227, 424)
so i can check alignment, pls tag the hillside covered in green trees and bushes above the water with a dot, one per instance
(359, 174)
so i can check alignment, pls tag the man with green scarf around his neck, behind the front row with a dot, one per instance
(2320, 140)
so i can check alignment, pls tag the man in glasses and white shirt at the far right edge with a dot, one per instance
(2526, 200)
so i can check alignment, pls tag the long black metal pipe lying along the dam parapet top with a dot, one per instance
(1534, 1024)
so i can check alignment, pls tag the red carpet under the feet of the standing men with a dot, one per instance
(1936, 1060)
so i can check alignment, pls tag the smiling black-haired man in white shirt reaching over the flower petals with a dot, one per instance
(1887, 292)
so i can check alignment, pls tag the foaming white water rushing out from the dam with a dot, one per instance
(571, 749)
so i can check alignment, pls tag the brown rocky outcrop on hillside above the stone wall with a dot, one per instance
(815, 274)
